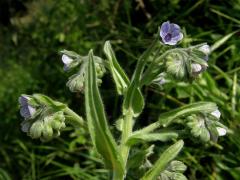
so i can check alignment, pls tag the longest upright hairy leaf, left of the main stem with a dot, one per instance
(97, 123)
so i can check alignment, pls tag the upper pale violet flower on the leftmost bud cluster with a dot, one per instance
(26, 111)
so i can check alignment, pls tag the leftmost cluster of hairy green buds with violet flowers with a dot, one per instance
(40, 120)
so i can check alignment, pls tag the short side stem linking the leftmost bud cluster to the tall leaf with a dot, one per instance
(73, 118)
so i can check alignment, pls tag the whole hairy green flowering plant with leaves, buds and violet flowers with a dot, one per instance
(45, 118)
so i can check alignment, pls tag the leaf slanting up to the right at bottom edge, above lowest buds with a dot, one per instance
(166, 157)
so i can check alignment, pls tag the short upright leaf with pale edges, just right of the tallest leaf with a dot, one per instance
(120, 78)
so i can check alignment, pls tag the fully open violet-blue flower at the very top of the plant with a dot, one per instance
(170, 33)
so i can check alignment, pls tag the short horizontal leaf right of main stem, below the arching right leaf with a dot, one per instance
(142, 137)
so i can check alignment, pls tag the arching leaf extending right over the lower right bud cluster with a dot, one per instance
(199, 107)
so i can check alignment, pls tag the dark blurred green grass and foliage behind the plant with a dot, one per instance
(32, 32)
